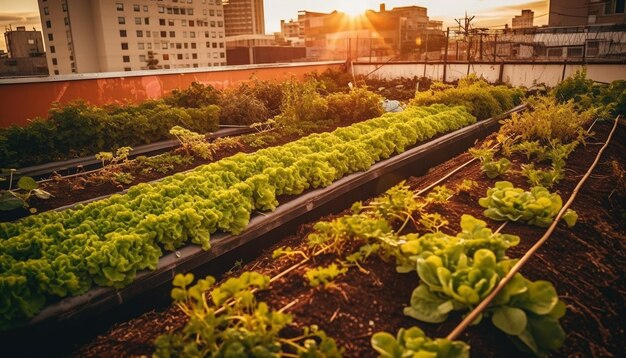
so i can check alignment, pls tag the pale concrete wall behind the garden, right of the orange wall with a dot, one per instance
(516, 74)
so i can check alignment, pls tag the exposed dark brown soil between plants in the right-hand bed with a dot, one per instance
(586, 265)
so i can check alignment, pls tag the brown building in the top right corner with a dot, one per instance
(586, 12)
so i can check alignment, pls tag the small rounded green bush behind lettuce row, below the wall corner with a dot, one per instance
(357, 105)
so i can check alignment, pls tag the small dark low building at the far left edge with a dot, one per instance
(25, 56)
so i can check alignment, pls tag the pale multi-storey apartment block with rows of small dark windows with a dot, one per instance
(85, 36)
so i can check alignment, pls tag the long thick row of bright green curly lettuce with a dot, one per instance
(56, 254)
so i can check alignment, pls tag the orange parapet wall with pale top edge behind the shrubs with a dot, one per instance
(27, 98)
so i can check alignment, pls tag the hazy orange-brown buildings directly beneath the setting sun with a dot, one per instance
(402, 32)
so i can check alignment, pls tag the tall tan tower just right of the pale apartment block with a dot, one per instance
(244, 17)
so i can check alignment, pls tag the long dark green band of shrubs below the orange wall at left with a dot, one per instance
(80, 129)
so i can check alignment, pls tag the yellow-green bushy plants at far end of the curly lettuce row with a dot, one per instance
(478, 96)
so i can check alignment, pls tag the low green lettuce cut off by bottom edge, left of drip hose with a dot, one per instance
(412, 342)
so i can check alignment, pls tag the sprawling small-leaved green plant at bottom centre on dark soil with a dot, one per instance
(228, 321)
